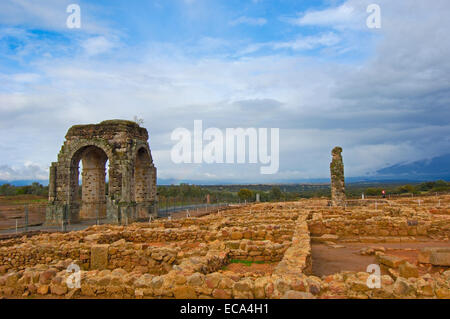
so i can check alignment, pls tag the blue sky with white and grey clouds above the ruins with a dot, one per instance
(313, 69)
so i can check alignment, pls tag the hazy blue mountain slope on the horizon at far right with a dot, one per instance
(432, 169)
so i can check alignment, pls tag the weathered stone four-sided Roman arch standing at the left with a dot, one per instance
(130, 193)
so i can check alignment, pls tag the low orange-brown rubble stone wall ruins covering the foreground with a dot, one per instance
(188, 258)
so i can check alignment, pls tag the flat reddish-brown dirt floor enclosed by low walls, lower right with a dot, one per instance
(327, 260)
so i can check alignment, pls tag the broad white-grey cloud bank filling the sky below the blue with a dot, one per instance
(388, 107)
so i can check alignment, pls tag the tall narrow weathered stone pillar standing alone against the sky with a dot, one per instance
(337, 178)
